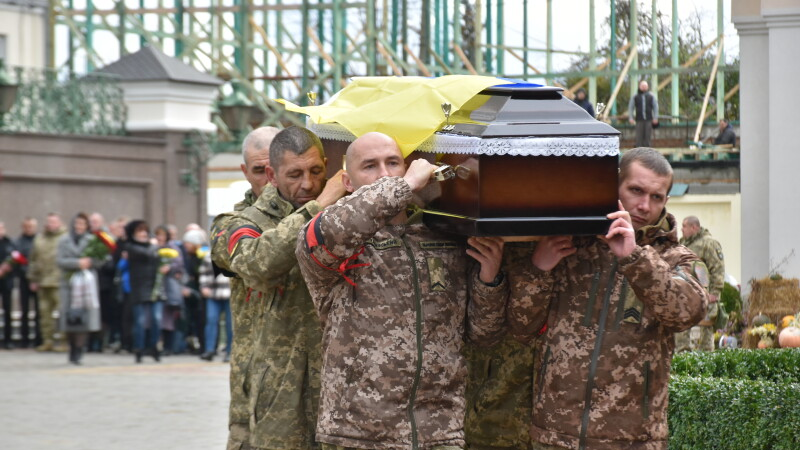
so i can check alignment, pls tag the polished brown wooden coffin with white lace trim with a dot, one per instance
(528, 162)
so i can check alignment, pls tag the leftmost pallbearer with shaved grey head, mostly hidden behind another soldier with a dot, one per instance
(255, 154)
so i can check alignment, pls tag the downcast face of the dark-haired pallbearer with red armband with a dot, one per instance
(299, 178)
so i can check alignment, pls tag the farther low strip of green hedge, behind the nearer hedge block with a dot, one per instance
(777, 365)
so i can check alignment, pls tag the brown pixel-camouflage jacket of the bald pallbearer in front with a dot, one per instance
(393, 300)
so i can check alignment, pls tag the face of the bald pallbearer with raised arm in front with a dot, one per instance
(371, 160)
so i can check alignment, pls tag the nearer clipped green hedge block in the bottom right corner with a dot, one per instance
(728, 414)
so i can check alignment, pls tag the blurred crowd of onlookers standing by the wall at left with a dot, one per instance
(121, 287)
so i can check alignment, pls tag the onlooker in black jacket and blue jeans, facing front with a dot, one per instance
(143, 263)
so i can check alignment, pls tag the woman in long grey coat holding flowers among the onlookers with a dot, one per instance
(80, 306)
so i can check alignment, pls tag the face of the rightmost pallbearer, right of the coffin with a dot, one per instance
(643, 194)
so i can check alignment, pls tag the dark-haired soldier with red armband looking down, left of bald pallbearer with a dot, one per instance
(283, 368)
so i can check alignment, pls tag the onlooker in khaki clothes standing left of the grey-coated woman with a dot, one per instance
(45, 277)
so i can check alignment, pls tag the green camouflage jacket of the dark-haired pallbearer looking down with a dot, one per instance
(285, 364)
